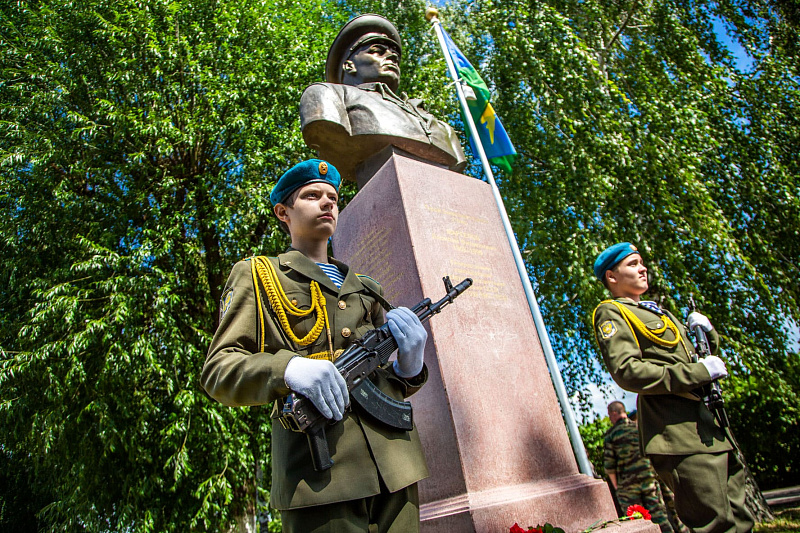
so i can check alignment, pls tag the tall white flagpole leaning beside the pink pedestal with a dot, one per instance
(555, 374)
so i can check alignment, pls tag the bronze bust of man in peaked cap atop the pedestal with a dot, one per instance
(358, 112)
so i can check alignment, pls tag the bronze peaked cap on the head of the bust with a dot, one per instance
(361, 30)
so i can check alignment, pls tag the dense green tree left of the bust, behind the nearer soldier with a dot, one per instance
(139, 141)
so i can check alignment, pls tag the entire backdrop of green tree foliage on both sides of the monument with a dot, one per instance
(139, 141)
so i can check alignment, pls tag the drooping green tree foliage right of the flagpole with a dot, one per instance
(633, 123)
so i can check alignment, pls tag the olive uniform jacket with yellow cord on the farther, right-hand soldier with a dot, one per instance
(673, 420)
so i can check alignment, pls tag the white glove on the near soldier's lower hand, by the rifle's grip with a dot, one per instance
(320, 382)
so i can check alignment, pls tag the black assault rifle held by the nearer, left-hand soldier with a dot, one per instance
(356, 364)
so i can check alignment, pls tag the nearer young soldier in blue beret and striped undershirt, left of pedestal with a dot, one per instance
(283, 320)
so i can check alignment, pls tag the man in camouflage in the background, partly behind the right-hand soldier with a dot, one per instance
(631, 473)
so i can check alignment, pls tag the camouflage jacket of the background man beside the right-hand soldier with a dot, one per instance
(621, 454)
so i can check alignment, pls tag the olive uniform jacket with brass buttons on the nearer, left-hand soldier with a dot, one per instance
(238, 373)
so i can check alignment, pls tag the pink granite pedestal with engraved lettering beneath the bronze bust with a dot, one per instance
(489, 419)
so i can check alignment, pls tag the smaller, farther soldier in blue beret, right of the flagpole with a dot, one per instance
(646, 350)
